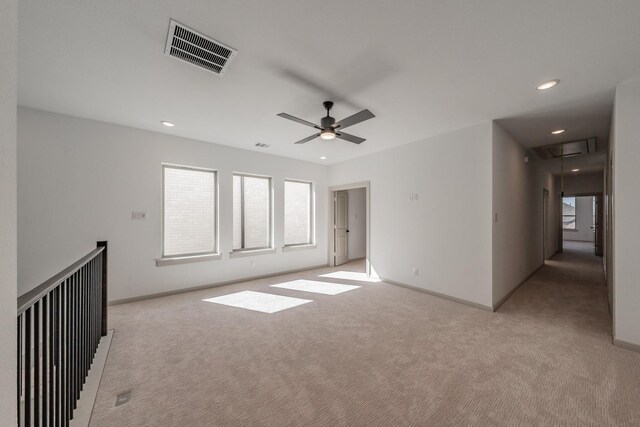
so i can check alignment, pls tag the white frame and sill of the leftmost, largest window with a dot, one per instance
(195, 256)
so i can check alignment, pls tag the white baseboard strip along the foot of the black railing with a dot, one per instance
(82, 414)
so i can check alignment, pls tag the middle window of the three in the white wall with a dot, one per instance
(251, 212)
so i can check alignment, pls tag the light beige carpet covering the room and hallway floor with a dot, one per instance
(378, 355)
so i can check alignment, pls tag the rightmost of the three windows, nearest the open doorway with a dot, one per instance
(298, 213)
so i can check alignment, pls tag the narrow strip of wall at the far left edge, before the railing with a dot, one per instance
(8, 60)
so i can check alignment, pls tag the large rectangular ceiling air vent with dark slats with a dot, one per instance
(197, 49)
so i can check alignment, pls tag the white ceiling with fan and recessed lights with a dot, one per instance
(423, 67)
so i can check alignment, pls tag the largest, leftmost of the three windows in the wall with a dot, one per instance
(189, 211)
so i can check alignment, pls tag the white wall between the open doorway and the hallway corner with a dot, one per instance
(446, 233)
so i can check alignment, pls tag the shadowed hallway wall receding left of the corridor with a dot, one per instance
(518, 204)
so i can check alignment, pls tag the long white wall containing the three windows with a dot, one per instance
(79, 180)
